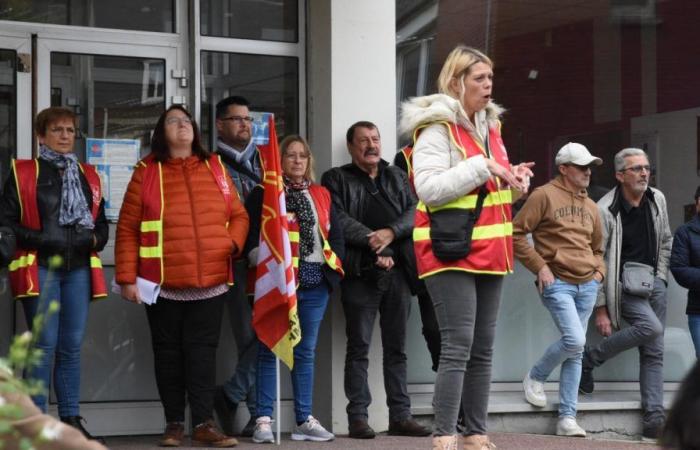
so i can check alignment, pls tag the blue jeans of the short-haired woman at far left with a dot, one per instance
(62, 334)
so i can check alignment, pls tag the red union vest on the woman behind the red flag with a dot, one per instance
(322, 201)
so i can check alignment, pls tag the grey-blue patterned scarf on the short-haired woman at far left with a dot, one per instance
(74, 208)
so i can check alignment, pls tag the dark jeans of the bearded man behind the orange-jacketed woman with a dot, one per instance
(241, 385)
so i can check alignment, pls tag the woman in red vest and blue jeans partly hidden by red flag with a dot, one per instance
(317, 247)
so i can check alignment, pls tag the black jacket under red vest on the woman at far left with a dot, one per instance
(72, 243)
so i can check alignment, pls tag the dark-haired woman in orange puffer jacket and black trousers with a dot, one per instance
(179, 226)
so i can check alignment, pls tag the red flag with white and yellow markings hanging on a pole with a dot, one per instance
(275, 317)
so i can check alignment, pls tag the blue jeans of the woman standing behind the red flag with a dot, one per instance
(311, 306)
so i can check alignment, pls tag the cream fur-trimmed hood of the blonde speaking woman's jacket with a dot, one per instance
(418, 111)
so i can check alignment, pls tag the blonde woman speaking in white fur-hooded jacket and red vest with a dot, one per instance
(459, 161)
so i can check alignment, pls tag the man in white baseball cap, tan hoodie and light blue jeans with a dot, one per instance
(567, 260)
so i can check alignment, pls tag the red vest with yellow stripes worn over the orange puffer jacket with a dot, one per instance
(151, 236)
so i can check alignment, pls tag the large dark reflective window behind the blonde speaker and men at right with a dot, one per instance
(609, 75)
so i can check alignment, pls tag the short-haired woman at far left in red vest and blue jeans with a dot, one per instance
(54, 206)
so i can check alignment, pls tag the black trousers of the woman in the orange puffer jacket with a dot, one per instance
(185, 335)
